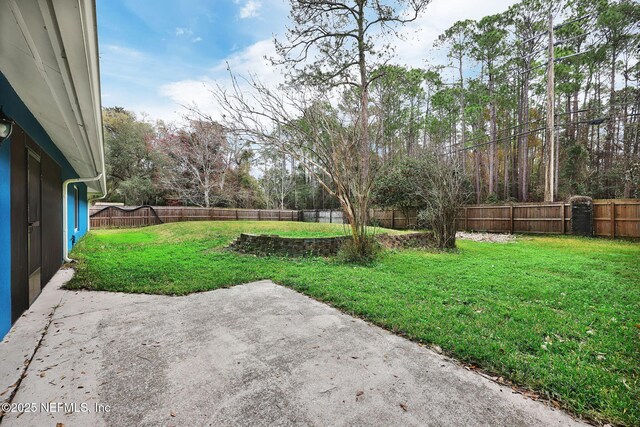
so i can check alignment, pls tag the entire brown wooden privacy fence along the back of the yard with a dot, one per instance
(611, 218)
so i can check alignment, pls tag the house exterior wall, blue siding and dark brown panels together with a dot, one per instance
(57, 169)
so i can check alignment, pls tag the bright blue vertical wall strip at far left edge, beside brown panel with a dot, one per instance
(5, 239)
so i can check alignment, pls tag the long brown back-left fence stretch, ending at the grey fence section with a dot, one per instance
(124, 217)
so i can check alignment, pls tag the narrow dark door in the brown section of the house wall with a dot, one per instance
(34, 216)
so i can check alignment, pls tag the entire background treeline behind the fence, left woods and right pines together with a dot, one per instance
(487, 109)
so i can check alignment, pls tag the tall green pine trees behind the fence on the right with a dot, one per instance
(488, 106)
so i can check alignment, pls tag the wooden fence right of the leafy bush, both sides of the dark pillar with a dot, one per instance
(611, 218)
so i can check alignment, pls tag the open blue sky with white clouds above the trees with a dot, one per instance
(158, 54)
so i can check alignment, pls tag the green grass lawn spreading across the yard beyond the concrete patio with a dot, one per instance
(557, 315)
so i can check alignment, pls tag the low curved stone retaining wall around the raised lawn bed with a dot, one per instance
(319, 246)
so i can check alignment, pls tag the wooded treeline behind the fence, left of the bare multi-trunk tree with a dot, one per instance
(199, 164)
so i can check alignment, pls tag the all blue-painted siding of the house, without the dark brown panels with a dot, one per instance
(15, 108)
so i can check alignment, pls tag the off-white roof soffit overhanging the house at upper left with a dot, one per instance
(49, 54)
